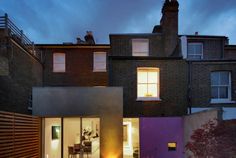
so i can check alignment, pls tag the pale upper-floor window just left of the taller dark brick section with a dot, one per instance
(99, 61)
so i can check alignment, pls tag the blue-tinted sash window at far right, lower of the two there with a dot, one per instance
(220, 86)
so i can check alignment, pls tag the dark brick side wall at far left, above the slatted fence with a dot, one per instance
(24, 72)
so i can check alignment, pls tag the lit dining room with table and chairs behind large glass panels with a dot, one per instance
(81, 137)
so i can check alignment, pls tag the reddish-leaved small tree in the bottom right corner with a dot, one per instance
(215, 139)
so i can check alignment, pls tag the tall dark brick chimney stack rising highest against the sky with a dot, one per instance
(169, 25)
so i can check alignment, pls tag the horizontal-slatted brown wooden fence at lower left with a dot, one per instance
(20, 135)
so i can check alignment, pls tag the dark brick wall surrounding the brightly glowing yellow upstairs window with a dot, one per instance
(173, 87)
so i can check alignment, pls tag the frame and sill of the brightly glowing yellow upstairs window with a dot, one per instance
(156, 98)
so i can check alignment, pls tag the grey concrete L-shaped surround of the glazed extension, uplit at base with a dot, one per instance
(105, 103)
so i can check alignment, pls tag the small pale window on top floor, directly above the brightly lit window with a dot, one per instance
(140, 53)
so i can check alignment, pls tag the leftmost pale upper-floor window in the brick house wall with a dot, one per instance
(55, 69)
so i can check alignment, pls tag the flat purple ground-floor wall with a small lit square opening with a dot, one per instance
(155, 133)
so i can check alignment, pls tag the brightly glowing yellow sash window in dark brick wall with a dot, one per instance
(148, 83)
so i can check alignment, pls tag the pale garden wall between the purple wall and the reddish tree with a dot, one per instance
(195, 121)
